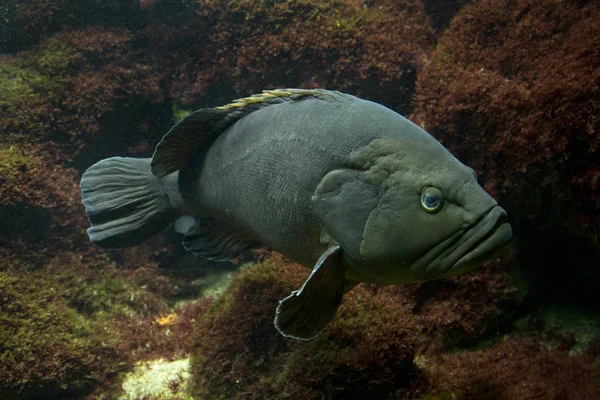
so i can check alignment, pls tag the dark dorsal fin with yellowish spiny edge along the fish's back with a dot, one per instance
(196, 132)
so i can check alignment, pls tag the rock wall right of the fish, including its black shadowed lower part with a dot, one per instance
(513, 90)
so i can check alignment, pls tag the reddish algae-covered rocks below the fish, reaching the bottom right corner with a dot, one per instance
(450, 339)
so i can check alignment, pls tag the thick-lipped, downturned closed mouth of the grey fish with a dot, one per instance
(467, 249)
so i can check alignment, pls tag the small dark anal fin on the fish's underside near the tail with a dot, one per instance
(216, 241)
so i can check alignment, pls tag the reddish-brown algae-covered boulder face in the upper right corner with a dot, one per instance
(494, 91)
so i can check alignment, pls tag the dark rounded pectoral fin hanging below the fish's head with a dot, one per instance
(306, 312)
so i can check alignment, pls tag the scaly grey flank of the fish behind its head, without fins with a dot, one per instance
(262, 172)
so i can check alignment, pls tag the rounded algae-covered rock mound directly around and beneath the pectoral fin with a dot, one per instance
(237, 339)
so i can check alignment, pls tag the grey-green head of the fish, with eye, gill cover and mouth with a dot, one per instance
(415, 213)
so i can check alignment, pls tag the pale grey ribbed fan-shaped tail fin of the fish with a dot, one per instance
(124, 202)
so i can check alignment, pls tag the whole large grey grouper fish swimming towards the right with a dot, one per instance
(343, 186)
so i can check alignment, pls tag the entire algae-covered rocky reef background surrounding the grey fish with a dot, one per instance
(511, 87)
